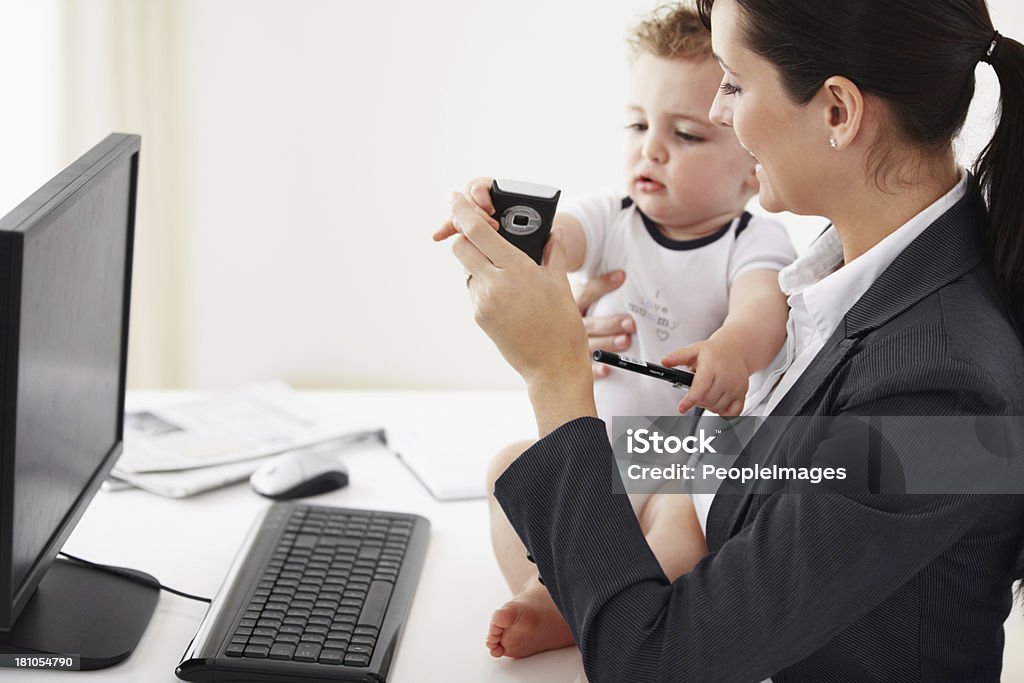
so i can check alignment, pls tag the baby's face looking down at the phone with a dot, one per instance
(681, 169)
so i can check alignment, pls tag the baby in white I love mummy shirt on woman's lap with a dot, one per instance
(702, 285)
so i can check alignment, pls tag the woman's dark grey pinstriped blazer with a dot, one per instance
(805, 587)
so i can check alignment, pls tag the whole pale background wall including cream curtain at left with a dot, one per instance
(297, 156)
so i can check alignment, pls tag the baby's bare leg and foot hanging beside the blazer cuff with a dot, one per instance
(530, 623)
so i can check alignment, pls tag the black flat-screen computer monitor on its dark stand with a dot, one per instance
(66, 263)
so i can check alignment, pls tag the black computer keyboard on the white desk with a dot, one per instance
(315, 593)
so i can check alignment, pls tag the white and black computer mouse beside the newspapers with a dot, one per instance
(300, 475)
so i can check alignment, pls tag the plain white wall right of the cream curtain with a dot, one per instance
(324, 141)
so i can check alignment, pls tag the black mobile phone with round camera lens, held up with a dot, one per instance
(526, 212)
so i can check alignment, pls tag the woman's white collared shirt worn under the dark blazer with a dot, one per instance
(820, 295)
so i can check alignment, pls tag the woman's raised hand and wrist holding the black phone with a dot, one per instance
(528, 311)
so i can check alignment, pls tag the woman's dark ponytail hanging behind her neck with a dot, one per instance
(1001, 172)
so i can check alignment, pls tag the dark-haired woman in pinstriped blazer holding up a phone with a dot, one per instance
(905, 308)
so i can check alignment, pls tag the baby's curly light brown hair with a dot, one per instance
(672, 32)
